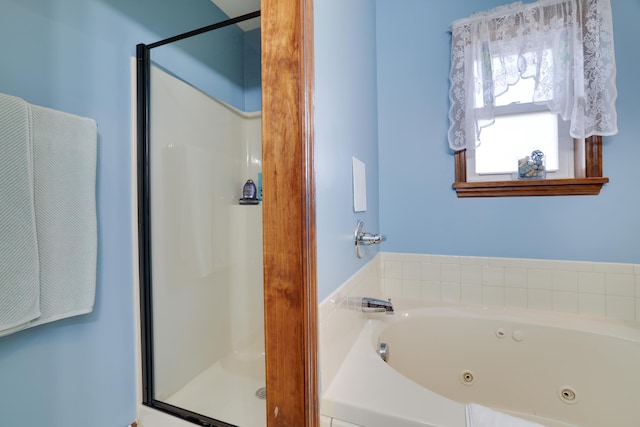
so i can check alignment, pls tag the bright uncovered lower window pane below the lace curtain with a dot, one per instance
(514, 136)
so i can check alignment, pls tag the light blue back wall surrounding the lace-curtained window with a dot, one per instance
(418, 208)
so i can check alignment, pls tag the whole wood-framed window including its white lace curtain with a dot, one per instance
(522, 80)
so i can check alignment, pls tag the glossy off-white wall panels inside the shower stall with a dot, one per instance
(206, 248)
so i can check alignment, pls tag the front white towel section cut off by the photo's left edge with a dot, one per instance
(19, 283)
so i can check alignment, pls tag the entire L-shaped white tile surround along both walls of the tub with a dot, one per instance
(587, 288)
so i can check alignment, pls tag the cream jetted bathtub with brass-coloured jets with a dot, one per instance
(554, 369)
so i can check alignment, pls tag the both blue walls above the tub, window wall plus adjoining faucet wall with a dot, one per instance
(418, 209)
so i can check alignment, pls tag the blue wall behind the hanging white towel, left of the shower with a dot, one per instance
(75, 56)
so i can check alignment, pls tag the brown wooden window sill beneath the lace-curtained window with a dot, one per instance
(542, 187)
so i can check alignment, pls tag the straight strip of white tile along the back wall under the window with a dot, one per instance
(588, 288)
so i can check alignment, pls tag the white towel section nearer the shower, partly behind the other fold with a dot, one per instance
(64, 158)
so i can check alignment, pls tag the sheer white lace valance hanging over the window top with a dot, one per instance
(566, 46)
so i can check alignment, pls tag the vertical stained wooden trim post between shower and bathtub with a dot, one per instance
(290, 296)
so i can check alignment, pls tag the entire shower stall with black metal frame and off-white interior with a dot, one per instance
(201, 283)
